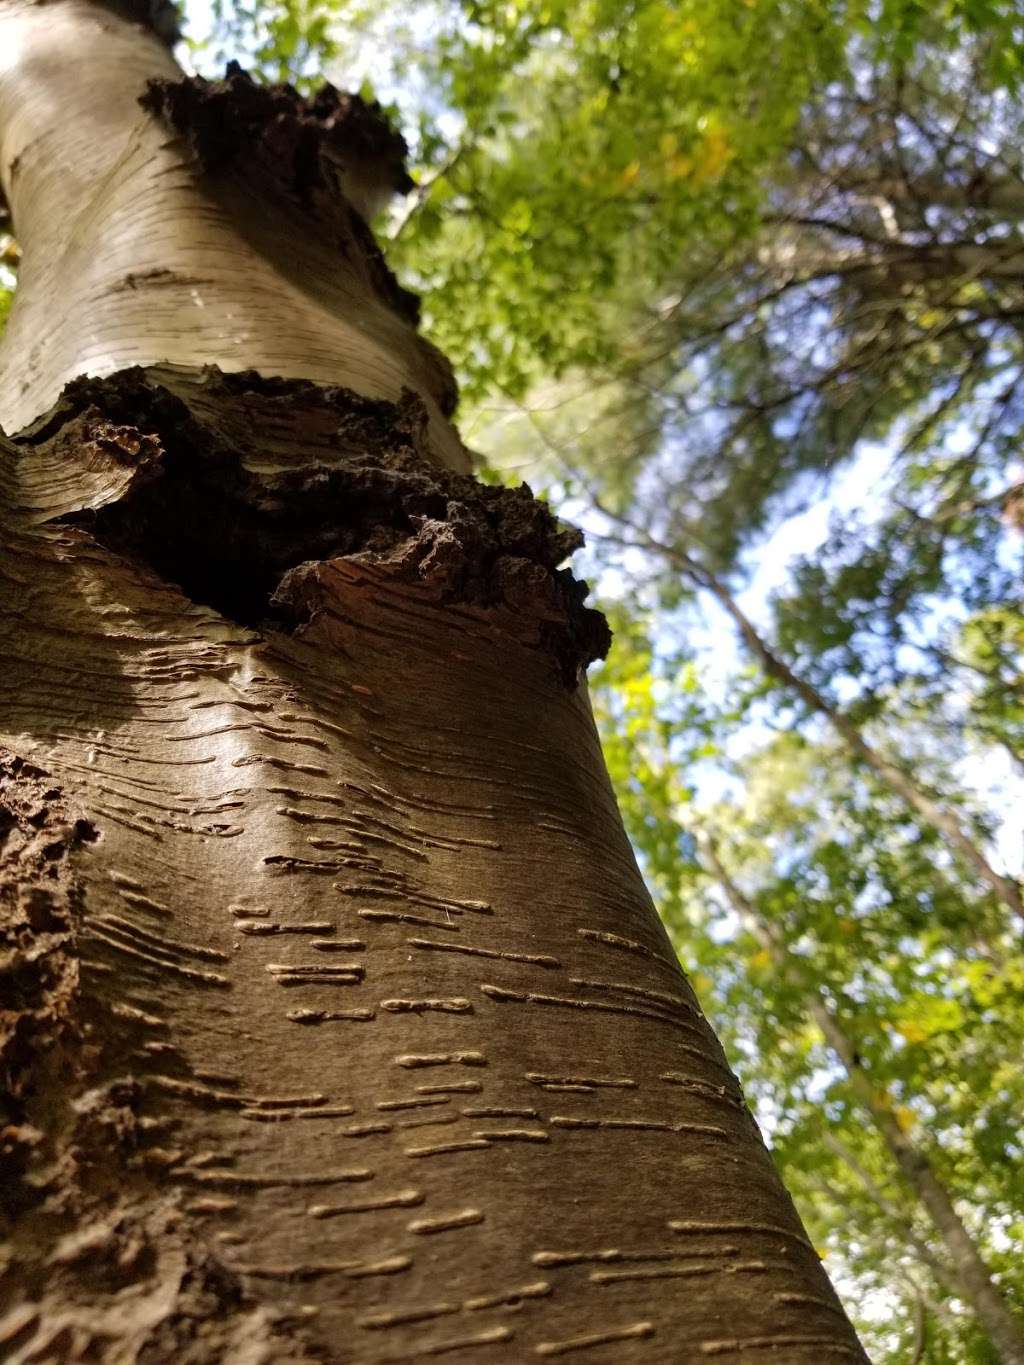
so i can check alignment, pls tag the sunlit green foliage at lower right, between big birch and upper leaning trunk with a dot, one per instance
(880, 923)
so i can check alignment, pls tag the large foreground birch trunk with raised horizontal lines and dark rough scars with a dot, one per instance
(338, 1023)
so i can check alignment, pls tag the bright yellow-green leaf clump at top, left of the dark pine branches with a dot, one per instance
(649, 117)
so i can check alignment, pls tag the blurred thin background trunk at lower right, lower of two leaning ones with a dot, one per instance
(969, 1270)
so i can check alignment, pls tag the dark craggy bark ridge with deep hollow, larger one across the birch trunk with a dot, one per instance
(241, 522)
